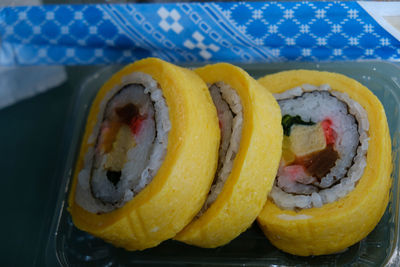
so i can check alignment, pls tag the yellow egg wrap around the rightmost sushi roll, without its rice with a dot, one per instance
(337, 225)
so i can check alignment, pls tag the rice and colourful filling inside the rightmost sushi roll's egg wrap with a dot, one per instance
(324, 147)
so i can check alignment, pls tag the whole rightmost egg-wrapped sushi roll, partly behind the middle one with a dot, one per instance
(332, 186)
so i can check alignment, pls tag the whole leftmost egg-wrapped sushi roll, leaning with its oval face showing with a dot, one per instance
(148, 155)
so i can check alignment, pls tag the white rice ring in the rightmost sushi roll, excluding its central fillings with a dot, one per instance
(351, 144)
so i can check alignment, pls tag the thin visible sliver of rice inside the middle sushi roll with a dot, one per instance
(230, 115)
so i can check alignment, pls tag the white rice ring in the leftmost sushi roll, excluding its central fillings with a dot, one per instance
(143, 160)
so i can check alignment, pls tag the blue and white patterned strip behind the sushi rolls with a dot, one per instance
(194, 32)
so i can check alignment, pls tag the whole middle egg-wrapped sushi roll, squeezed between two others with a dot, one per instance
(249, 119)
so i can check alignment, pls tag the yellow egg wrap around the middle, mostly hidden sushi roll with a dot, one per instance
(246, 188)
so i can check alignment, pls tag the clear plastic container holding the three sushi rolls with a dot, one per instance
(66, 245)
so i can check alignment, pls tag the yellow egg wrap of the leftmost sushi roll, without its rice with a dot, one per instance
(177, 192)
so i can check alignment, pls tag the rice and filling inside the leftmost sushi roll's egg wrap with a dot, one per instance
(128, 145)
